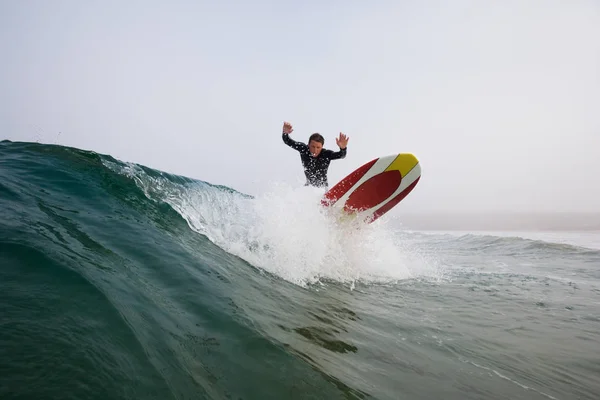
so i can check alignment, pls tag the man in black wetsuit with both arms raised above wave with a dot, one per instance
(315, 159)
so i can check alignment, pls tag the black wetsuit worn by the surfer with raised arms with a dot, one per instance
(315, 168)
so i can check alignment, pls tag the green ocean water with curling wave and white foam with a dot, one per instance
(118, 281)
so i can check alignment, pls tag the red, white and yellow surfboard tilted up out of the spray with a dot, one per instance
(374, 188)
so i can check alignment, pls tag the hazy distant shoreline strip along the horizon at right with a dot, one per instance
(496, 221)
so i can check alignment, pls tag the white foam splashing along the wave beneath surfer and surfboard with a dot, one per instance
(286, 232)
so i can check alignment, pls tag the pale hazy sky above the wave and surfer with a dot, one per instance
(499, 100)
